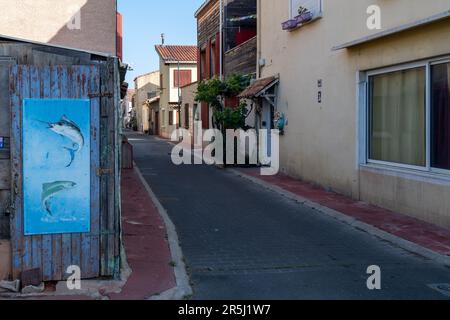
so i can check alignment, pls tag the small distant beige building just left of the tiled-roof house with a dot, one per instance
(146, 87)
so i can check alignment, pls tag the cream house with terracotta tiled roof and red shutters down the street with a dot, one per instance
(178, 67)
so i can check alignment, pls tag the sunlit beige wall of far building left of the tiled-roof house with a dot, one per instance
(143, 85)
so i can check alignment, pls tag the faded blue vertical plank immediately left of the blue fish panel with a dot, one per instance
(16, 170)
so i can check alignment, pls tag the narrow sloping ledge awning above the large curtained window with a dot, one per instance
(395, 30)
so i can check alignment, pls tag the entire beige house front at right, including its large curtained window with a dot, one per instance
(365, 98)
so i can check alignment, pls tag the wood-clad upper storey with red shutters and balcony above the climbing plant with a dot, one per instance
(227, 43)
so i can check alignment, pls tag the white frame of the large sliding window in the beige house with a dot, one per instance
(364, 117)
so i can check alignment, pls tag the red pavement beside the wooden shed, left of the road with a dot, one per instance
(145, 240)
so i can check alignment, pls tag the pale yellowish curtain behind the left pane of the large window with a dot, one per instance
(397, 109)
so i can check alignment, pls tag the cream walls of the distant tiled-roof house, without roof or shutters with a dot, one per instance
(169, 95)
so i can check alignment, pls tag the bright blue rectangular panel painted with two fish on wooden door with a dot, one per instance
(56, 166)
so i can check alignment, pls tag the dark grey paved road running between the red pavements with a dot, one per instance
(242, 241)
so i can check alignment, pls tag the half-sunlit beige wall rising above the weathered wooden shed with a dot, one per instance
(46, 21)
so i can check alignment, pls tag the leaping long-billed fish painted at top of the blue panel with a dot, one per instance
(70, 130)
